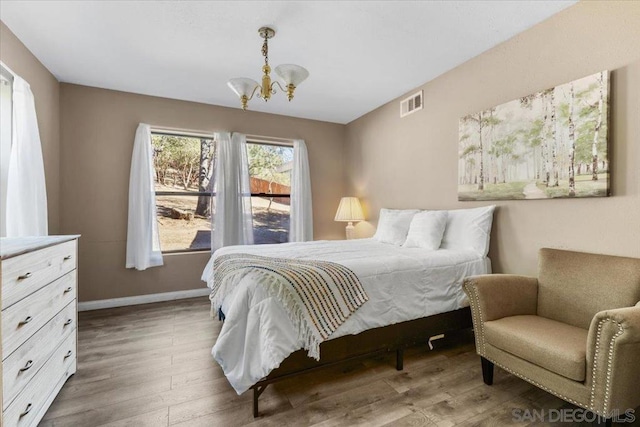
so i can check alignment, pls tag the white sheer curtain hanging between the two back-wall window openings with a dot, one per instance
(232, 220)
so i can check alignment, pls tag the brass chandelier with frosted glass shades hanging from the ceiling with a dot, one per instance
(290, 74)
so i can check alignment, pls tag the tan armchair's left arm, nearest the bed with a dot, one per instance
(494, 296)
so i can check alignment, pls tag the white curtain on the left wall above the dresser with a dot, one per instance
(26, 205)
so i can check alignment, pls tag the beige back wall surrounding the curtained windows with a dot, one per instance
(98, 128)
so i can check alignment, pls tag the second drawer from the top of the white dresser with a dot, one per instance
(24, 318)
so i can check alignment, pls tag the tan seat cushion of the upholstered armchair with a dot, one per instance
(550, 344)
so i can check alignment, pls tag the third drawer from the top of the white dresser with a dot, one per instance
(29, 358)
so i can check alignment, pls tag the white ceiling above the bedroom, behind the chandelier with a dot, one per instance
(361, 54)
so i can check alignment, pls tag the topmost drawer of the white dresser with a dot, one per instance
(24, 274)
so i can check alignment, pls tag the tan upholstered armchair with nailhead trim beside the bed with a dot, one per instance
(574, 331)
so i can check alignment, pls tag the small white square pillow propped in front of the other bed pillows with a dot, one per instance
(469, 229)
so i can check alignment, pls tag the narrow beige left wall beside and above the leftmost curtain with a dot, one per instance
(46, 91)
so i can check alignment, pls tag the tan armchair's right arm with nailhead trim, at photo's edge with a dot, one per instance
(613, 352)
